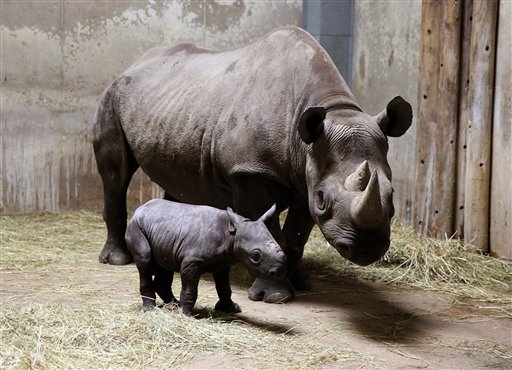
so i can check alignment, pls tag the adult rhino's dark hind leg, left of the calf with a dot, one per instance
(116, 165)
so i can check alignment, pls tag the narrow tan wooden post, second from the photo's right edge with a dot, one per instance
(478, 164)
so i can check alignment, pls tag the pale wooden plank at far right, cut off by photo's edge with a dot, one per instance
(501, 183)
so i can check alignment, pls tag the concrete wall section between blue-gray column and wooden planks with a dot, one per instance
(385, 64)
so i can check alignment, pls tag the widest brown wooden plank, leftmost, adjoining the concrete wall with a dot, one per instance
(438, 111)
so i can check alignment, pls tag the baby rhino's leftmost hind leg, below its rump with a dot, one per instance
(140, 249)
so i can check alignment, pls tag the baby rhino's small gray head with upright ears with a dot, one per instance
(255, 247)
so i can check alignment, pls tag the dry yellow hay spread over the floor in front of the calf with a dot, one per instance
(44, 335)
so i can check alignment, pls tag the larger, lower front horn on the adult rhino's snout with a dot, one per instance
(366, 208)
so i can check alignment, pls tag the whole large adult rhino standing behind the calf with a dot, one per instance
(271, 122)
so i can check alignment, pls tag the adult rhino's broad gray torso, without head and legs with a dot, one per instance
(194, 118)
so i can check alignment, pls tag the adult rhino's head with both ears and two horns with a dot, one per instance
(348, 176)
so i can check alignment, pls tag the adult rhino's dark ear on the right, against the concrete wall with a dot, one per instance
(396, 119)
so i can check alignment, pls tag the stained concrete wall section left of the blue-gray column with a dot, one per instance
(57, 58)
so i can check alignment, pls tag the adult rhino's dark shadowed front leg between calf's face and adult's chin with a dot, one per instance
(296, 230)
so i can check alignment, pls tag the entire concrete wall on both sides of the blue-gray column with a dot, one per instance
(58, 56)
